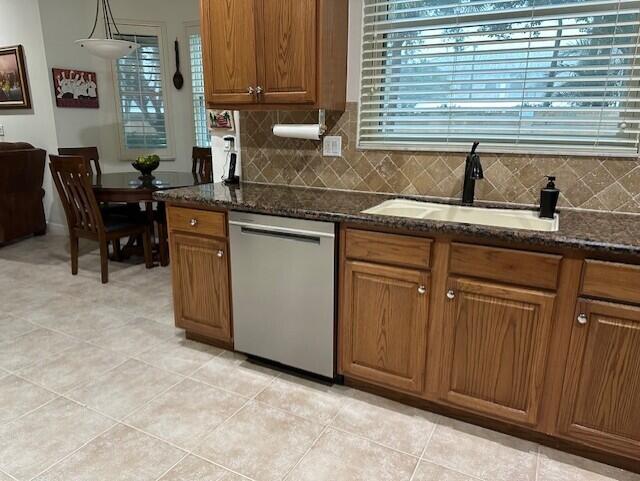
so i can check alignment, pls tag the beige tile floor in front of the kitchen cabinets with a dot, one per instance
(96, 385)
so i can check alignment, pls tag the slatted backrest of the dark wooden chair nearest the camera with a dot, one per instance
(72, 178)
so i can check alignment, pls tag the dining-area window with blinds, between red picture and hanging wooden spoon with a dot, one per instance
(141, 99)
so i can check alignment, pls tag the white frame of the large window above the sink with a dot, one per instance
(444, 146)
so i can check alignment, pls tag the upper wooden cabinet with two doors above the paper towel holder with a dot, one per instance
(275, 54)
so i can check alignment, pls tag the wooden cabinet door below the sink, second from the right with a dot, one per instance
(495, 348)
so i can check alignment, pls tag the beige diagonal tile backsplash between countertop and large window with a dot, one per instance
(585, 182)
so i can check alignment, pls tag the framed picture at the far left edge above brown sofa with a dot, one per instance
(14, 86)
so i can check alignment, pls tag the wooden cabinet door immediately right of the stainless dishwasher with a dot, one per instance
(384, 324)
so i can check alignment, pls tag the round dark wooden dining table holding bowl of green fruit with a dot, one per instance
(131, 187)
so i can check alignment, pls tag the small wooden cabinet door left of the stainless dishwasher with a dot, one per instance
(201, 285)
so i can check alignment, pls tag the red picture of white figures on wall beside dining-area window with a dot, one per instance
(75, 88)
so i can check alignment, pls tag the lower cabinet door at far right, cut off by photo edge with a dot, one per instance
(601, 394)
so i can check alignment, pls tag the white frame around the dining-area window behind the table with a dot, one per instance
(159, 29)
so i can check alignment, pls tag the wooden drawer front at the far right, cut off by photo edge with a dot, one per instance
(610, 280)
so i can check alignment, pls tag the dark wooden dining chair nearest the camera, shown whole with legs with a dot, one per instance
(72, 179)
